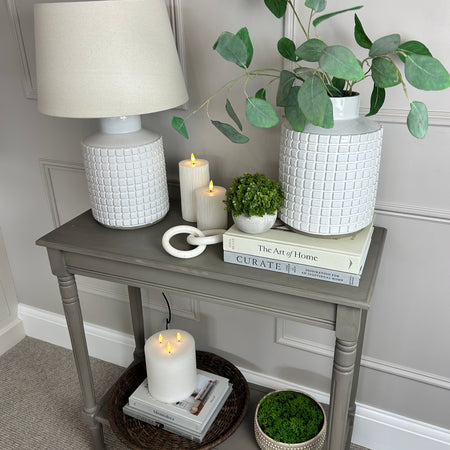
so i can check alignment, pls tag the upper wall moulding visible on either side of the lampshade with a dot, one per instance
(21, 15)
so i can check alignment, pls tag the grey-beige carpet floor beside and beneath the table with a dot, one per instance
(40, 406)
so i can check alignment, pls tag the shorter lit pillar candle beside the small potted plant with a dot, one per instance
(211, 212)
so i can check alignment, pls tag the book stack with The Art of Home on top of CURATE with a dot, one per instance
(335, 259)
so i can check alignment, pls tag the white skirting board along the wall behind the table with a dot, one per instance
(374, 428)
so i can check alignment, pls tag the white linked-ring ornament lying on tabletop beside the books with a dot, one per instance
(196, 237)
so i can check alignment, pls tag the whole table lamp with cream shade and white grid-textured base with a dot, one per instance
(112, 60)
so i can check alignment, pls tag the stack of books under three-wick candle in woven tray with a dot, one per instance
(192, 417)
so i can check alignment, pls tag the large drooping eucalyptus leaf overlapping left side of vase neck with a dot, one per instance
(313, 100)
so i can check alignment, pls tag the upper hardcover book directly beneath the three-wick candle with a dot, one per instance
(192, 413)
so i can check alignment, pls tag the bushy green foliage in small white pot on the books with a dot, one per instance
(254, 195)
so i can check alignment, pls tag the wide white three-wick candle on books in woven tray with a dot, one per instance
(171, 365)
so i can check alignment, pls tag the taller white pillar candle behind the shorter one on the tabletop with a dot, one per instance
(193, 173)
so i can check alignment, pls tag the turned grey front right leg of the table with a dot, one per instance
(348, 323)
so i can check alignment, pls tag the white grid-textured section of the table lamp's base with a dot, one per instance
(127, 186)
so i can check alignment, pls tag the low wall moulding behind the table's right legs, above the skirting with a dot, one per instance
(284, 338)
